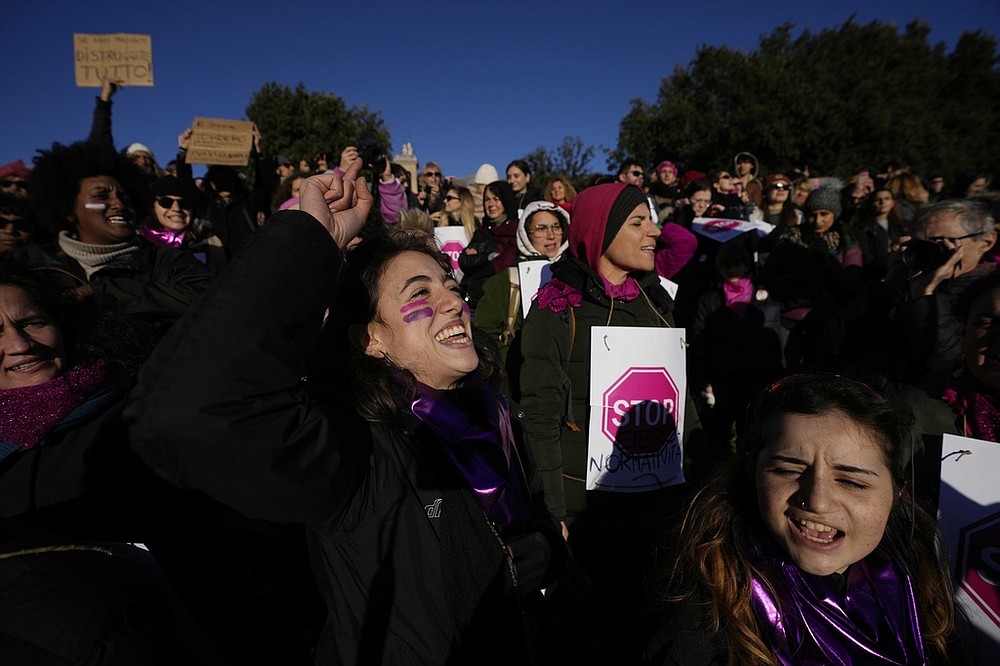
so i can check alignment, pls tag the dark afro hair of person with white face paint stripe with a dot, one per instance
(58, 172)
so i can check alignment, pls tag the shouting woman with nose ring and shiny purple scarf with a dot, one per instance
(809, 547)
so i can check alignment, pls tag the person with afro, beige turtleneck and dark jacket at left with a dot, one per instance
(86, 197)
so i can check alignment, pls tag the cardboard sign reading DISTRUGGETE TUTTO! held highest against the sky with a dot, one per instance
(119, 56)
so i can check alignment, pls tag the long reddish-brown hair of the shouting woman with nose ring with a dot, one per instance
(719, 529)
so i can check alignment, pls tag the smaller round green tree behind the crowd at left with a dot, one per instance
(301, 124)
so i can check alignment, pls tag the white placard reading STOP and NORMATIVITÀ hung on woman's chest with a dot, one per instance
(637, 388)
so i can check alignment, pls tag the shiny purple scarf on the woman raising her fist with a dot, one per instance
(473, 423)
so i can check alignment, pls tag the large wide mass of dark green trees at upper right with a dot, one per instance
(836, 100)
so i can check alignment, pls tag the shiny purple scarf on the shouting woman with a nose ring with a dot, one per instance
(866, 616)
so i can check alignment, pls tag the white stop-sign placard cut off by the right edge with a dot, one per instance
(970, 521)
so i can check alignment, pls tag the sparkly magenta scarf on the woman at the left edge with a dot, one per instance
(28, 413)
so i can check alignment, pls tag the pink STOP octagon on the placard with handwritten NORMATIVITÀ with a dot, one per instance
(639, 409)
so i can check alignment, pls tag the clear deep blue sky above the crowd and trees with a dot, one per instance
(465, 83)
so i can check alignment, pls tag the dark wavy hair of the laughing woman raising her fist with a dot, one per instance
(377, 389)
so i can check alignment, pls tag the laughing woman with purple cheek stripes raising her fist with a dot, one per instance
(379, 428)
